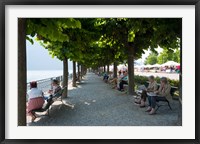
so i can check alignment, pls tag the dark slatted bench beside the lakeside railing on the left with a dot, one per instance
(46, 107)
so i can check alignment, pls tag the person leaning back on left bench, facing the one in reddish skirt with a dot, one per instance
(55, 88)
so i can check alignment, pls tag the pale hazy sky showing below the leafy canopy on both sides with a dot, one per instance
(38, 58)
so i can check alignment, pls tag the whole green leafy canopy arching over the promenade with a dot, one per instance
(96, 42)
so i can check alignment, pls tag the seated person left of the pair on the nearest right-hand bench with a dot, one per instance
(152, 87)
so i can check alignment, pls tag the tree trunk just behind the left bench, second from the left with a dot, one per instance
(65, 77)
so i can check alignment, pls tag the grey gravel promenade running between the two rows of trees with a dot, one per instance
(97, 104)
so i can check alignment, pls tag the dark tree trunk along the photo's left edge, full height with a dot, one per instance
(22, 87)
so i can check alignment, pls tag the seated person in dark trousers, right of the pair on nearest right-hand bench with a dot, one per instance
(163, 93)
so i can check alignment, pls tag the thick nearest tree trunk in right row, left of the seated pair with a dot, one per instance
(130, 69)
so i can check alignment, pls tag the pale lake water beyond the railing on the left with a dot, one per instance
(34, 75)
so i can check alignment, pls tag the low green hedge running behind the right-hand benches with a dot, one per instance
(143, 79)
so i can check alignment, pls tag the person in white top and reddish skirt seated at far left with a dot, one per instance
(35, 99)
